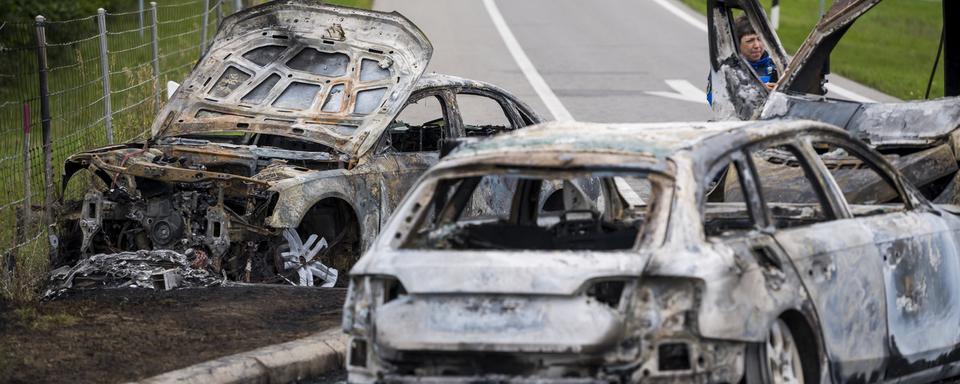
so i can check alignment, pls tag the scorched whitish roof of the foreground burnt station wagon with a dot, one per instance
(654, 140)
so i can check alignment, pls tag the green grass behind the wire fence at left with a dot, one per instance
(77, 109)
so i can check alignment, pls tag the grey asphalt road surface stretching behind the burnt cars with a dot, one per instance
(599, 58)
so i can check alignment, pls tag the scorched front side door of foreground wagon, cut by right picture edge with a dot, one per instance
(899, 271)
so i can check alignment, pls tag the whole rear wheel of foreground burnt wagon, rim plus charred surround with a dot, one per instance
(778, 359)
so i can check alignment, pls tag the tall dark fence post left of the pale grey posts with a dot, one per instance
(45, 118)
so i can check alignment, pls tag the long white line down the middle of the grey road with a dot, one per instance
(550, 99)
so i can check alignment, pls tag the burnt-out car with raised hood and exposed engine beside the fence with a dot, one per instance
(290, 142)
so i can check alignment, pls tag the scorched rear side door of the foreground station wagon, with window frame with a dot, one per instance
(826, 269)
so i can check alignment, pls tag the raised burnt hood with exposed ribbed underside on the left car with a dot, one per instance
(329, 75)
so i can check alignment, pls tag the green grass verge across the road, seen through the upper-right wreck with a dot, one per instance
(891, 48)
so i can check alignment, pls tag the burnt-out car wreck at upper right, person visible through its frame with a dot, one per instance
(919, 137)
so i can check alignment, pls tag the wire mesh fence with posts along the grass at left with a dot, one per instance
(73, 85)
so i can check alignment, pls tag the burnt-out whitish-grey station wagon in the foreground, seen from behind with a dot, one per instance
(653, 280)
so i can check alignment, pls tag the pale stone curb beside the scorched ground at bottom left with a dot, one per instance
(279, 363)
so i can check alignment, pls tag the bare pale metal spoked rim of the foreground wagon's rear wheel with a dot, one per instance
(783, 364)
